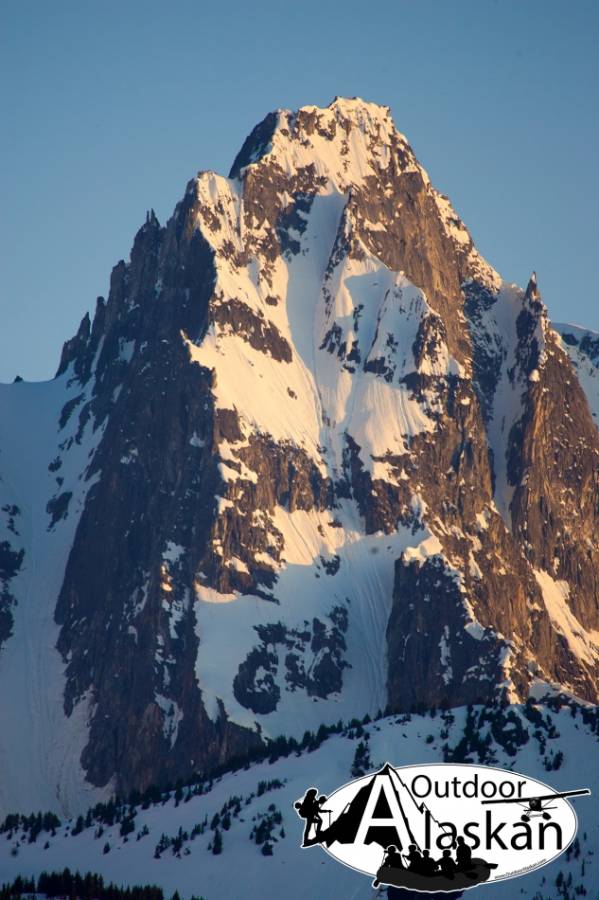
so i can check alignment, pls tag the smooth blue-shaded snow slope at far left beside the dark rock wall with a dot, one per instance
(35, 730)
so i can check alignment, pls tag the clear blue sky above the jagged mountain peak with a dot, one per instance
(108, 108)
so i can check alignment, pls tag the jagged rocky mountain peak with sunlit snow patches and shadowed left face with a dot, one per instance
(335, 464)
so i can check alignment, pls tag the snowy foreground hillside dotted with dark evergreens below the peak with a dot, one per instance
(248, 815)
